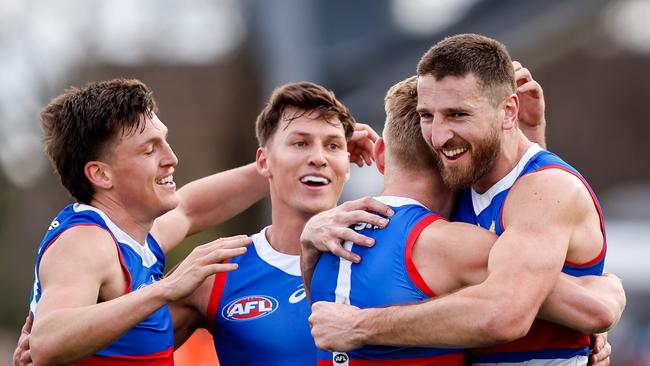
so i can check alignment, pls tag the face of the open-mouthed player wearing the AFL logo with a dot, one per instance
(307, 161)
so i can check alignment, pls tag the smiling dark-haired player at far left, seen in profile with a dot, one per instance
(99, 297)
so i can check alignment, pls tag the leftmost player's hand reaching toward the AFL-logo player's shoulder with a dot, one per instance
(203, 261)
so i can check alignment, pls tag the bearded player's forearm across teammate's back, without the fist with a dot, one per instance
(467, 318)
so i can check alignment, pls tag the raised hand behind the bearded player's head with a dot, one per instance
(532, 120)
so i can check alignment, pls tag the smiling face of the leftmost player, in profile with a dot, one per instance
(141, 165)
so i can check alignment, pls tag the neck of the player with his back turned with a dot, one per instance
(425, 187)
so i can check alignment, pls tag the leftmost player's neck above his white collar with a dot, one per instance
(136, 228)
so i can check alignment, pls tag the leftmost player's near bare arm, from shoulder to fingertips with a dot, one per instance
(77, 269)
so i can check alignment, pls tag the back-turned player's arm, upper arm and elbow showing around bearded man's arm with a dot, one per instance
(451, 255)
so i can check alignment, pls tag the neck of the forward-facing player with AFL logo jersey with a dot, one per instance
(286, 227)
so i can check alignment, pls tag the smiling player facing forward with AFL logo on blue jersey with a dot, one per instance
(258, 314)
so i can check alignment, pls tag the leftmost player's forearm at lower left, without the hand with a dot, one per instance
(66, 335)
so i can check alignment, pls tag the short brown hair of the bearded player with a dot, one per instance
(487, 59)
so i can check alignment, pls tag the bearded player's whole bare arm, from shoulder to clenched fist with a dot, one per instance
(523, 266)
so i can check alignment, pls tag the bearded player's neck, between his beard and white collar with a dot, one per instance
(513, 147)
